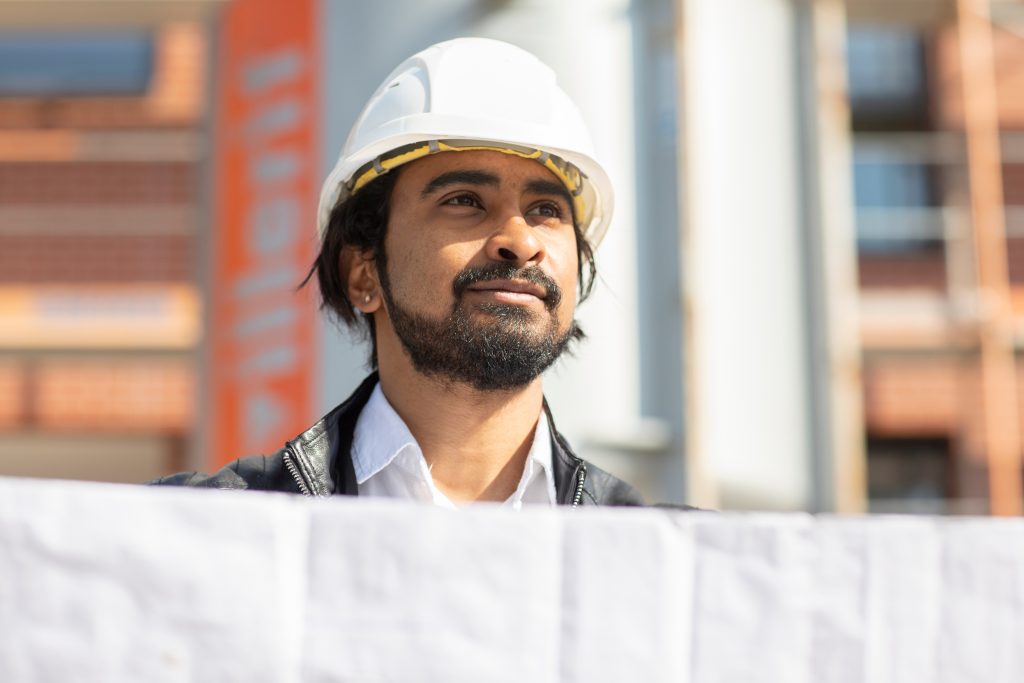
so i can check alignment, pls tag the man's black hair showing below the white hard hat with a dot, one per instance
(361, 222)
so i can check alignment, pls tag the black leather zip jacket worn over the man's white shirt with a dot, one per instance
(319, 462)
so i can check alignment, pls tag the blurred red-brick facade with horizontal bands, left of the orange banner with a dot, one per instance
(102, 119)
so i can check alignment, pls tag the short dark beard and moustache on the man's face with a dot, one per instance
(499, 355)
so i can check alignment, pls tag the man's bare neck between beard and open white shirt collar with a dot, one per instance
(476, 443)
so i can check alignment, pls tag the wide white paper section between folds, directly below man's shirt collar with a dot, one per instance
(402, 592)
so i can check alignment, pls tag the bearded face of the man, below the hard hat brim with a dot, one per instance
(480, 283)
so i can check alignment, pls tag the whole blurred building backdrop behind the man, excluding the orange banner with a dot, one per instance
(792, 313)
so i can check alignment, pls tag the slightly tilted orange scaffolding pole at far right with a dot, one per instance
(999, 368)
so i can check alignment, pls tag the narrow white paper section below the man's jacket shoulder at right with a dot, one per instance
(627, 602)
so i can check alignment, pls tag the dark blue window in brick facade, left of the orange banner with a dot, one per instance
(68, 64)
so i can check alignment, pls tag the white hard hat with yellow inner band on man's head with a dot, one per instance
(474, 94)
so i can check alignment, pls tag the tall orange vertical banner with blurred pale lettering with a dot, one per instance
(263, 334)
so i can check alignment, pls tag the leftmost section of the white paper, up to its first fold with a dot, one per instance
(113, 583)
